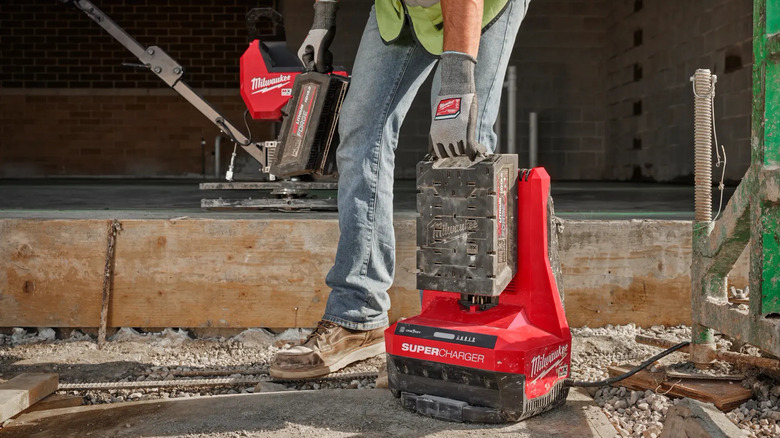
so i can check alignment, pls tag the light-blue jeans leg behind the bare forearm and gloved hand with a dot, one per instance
(495, 48)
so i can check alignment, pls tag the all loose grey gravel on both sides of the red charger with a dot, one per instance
(133, 355)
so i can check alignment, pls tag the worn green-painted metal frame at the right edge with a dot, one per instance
(751, 219)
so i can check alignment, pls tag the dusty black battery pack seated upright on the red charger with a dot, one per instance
(466, 228)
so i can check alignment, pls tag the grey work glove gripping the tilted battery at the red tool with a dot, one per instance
(314, 51)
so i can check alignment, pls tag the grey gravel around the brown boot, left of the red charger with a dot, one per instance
(133, 355)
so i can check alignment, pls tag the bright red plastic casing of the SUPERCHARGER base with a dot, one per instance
(533, 336)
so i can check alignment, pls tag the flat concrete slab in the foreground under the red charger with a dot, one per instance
(331, 413)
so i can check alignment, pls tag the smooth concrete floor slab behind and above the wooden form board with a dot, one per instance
(153, 198)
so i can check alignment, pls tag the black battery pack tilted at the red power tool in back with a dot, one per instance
(309, 135)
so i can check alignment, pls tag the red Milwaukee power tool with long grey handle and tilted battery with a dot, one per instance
(274, 84)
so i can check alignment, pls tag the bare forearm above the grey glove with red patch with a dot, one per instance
(462, 25)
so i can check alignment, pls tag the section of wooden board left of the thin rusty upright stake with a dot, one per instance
(51, 272)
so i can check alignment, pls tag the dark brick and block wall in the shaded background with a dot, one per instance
(67, 107)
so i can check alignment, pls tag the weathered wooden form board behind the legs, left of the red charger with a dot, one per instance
(184, 273)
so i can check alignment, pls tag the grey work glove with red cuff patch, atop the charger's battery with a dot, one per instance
(453, 128)
